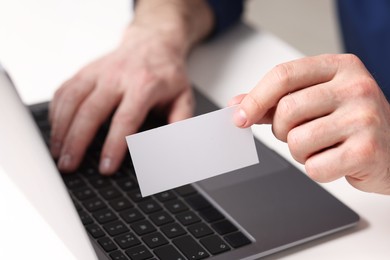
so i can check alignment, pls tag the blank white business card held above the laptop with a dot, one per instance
(190, 150)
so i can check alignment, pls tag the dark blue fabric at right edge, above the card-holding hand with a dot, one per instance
(366, 32)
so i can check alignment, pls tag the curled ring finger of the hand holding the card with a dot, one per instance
(316, 136)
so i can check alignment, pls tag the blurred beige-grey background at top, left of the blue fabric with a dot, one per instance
(309, 26)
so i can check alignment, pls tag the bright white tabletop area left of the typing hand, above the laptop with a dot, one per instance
(44, 42)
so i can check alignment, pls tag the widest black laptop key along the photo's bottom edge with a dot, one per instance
(190, 248)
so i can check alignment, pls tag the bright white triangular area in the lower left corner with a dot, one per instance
(25, 237)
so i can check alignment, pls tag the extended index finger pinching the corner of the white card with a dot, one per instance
(282, 80)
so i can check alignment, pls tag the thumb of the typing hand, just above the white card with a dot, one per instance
(182, 107)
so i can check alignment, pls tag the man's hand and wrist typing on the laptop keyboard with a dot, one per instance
(147, 71)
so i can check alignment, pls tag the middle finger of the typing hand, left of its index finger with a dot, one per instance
(92, 113)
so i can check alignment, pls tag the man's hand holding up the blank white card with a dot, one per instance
(331, 113)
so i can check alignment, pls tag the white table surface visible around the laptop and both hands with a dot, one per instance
(43, 42)
